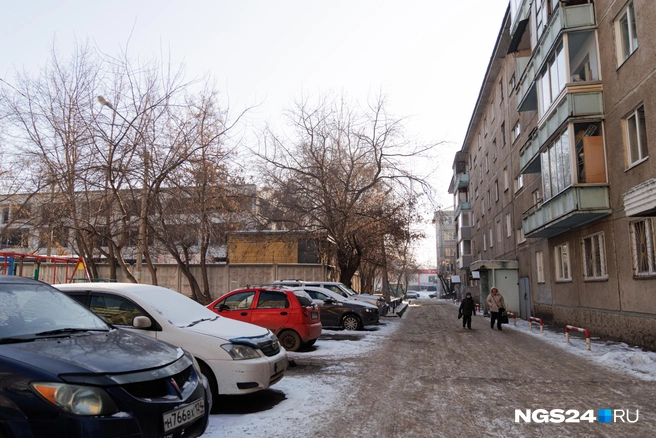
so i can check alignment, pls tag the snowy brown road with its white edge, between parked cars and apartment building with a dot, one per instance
(423, 375)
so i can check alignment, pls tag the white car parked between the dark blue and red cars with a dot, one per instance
(236, 358)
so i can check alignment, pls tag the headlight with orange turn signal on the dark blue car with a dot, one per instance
(76, 399)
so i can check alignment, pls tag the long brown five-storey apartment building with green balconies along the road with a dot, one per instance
(554, 182)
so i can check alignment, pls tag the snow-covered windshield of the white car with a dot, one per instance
(178, 309)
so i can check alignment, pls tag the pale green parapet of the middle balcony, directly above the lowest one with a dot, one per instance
(580, 101)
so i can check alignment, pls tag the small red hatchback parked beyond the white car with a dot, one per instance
(291, 315)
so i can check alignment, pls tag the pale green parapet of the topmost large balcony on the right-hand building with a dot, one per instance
(565, 19)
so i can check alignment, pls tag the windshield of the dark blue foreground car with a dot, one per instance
(32, 310)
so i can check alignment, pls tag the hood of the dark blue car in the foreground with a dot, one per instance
(114, 352)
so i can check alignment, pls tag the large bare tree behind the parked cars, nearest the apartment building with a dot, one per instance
(338, 173)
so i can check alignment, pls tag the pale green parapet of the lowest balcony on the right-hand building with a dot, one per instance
(572, 208)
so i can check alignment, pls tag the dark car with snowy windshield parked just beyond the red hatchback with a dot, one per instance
(337, 311)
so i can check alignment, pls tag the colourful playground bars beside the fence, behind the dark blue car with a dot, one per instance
(12, 263)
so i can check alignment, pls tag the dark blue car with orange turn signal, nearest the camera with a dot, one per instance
(64, 372)
